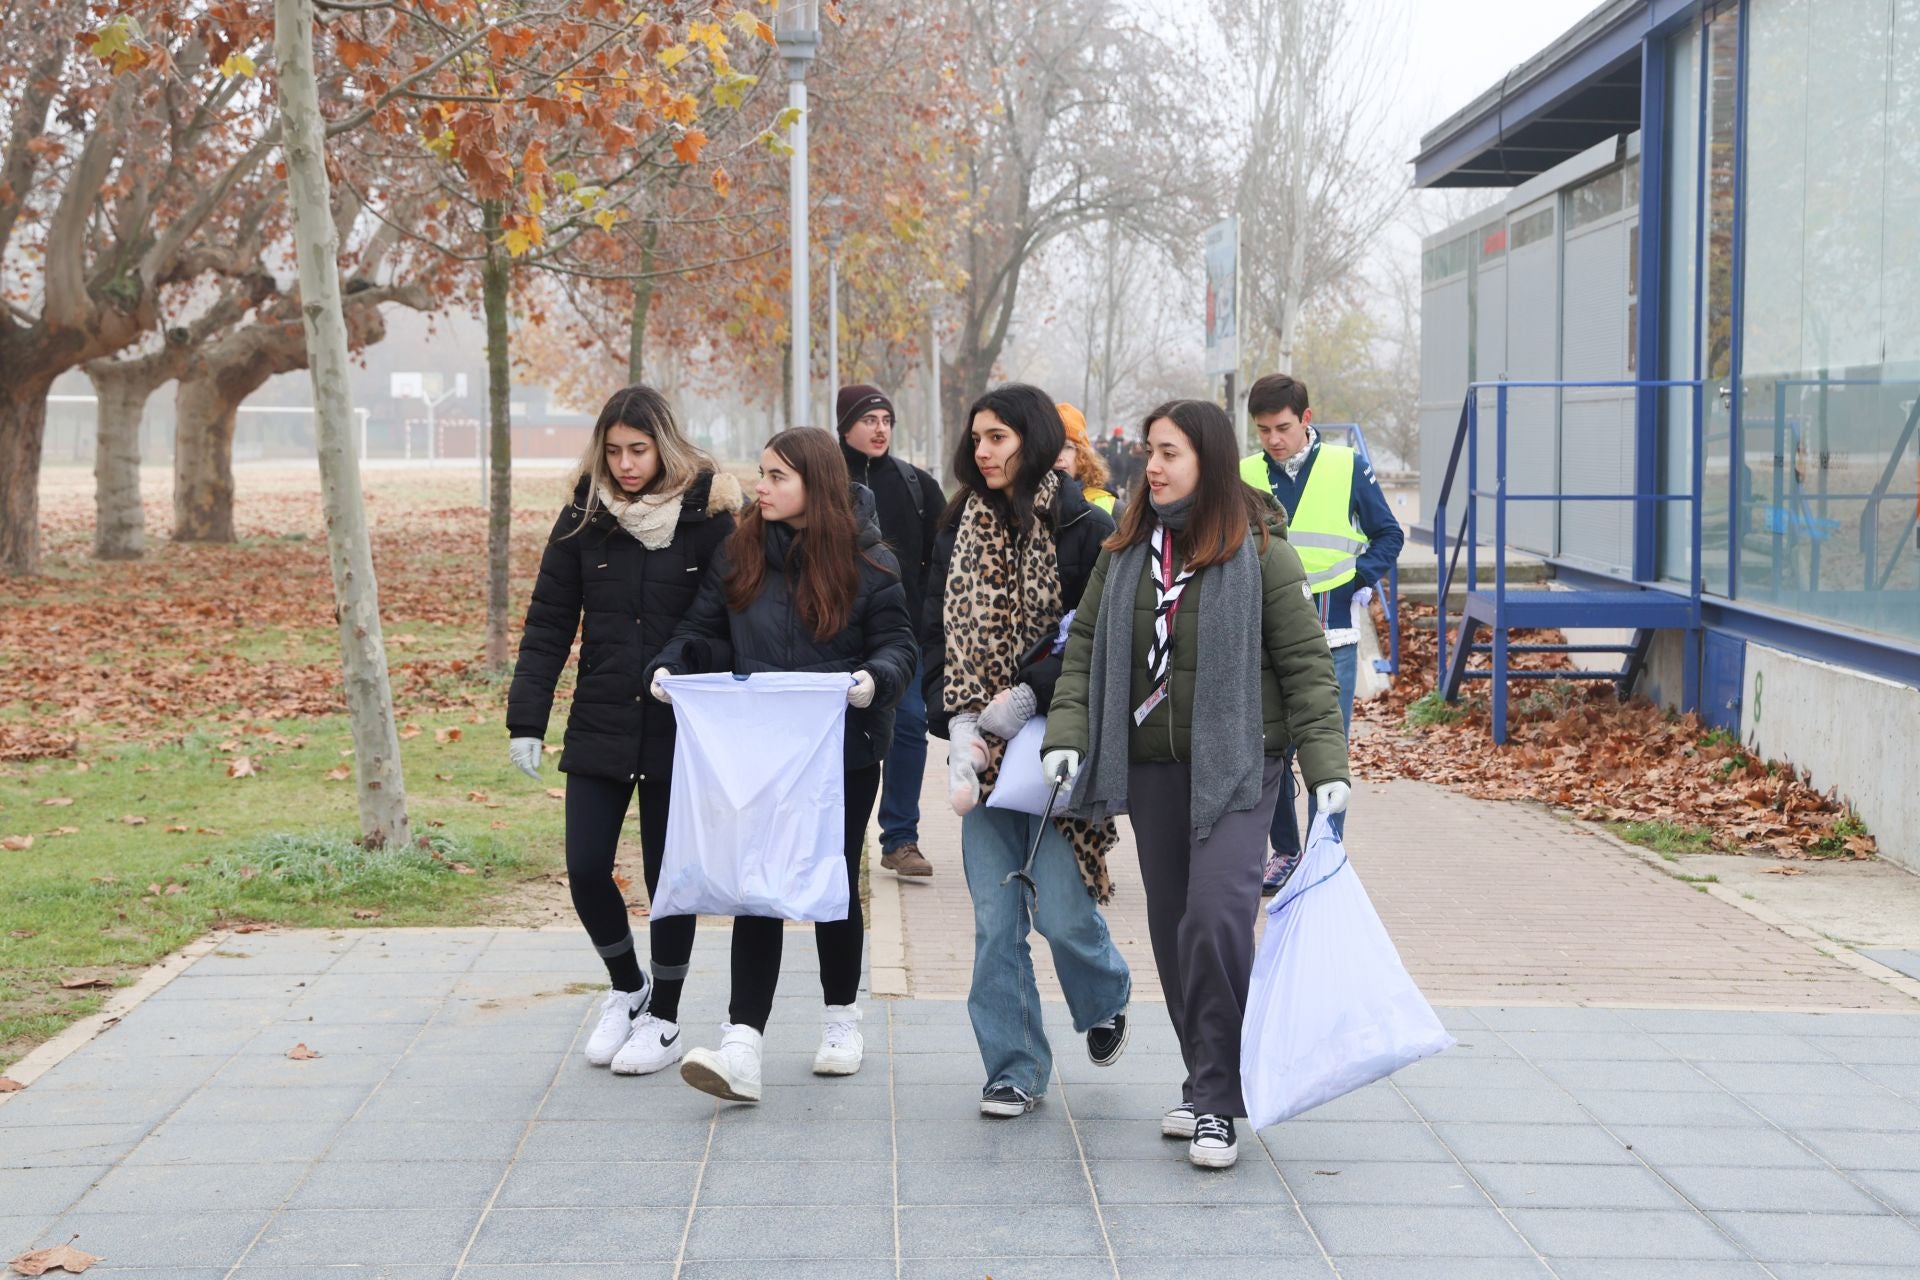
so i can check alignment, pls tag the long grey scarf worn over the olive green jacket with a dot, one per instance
(1228, 734)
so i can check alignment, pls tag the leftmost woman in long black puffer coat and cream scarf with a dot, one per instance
(629, 554)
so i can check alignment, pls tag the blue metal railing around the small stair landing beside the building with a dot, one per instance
(1470, 531)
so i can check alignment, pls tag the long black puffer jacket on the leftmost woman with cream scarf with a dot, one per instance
(633, 602)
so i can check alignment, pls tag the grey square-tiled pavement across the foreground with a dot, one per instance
(452, 1129)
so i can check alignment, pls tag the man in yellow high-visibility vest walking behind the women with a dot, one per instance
(1347, 536)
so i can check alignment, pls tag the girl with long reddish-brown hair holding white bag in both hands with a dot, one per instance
(804, 586)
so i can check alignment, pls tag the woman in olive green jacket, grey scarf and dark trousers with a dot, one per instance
(1199, 579)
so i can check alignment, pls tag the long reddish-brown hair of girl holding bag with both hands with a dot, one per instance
(827, 579)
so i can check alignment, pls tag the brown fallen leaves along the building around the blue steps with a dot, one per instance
(1577, 747)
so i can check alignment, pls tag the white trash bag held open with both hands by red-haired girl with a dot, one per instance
(759, 797)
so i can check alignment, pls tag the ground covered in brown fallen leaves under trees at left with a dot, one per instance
(116, 653)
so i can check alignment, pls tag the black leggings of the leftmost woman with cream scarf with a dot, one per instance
(596, 809)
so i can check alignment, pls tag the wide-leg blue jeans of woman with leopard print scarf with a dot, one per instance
(1005, 1001)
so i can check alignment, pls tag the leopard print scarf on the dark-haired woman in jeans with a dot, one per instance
(1003, 602)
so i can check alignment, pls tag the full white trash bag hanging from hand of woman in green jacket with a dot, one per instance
(1332, 1008)
